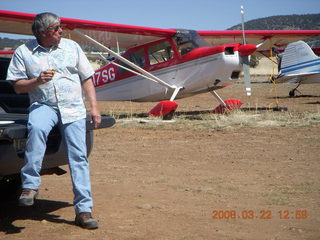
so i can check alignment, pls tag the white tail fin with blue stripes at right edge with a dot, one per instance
(297, 59)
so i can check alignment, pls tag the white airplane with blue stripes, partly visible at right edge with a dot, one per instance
(299, 64)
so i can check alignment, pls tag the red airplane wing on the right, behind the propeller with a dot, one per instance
(276, 38)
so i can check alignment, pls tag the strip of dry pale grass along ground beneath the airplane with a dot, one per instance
(234, 120)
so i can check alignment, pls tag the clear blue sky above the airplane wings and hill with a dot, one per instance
(187, 14)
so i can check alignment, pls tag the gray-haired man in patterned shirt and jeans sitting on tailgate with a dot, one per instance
(55, 72)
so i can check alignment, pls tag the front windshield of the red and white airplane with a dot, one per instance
(188, 40)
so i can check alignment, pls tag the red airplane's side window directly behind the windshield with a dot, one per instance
(160, 53)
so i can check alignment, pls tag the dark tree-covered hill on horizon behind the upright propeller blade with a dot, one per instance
(286, 22)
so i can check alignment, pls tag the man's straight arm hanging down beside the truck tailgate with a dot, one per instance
(90, 93)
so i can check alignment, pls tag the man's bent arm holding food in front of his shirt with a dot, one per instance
(26, 85)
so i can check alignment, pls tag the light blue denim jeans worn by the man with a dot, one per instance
(42, 119)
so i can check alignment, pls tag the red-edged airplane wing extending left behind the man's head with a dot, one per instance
(109, 34)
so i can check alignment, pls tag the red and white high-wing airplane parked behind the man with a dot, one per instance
(163, 64)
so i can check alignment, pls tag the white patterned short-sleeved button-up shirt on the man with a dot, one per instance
(64, 91)
